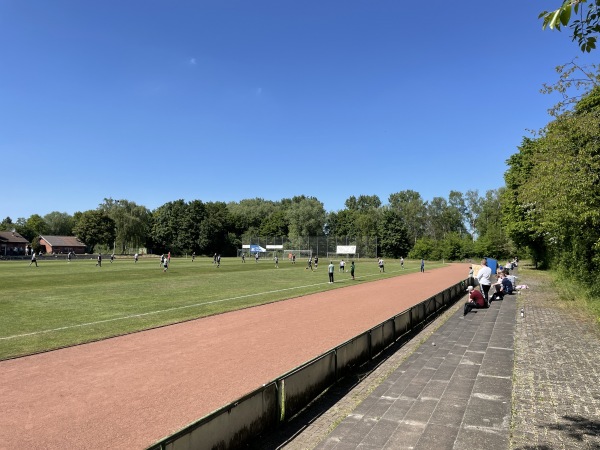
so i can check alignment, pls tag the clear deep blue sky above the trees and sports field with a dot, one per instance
(156, 100)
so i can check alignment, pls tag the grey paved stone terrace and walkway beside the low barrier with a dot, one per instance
(491, 380)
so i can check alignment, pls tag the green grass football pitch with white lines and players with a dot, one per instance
(59, 304)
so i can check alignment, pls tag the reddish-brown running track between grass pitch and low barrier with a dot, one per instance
(128, 392)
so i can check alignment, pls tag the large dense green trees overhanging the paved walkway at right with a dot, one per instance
(552, 202)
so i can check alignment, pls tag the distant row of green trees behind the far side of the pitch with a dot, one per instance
(452, 228)
